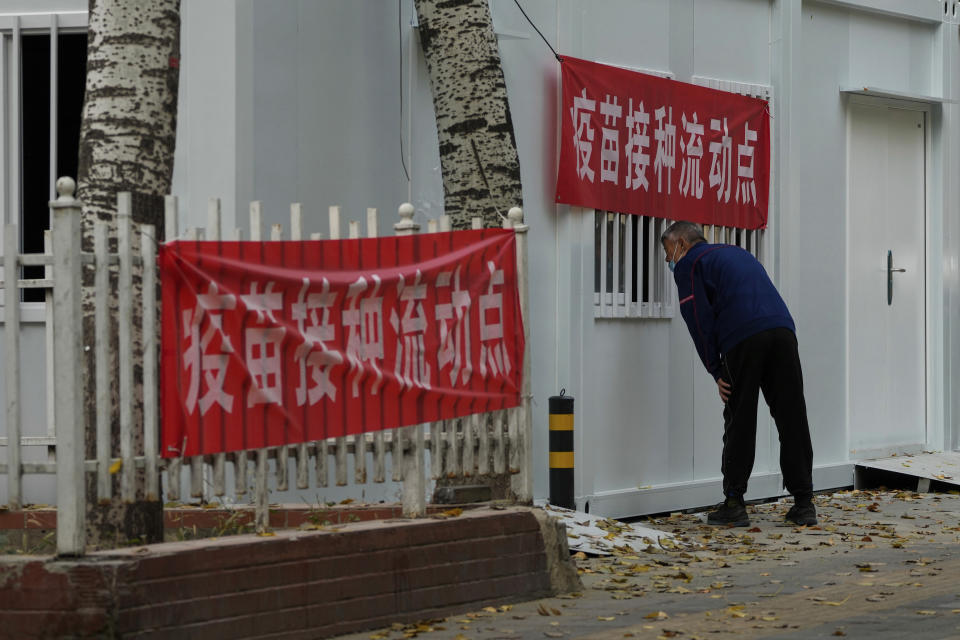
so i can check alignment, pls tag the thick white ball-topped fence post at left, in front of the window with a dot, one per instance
(67, 342)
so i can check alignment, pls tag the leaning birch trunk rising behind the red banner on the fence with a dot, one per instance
(478, 152)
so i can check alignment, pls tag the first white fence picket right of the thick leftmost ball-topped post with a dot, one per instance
(101, 332)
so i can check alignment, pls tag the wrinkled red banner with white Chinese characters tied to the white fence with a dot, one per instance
(272, 343)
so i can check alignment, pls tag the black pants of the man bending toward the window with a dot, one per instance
(767, 362)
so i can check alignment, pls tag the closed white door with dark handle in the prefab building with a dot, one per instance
(886, 373)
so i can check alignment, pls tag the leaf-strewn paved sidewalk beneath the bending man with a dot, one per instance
(879, 565)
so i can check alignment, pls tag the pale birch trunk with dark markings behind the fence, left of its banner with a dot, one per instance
(127, 139)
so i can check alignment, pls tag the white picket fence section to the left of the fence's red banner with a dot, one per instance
(64, 263)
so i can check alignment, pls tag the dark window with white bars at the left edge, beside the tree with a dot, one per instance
(43, 59)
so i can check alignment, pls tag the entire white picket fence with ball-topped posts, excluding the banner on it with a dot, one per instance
(494, 443)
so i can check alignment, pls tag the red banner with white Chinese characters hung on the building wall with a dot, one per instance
(635, 143)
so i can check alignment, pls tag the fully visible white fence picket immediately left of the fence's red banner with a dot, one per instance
(151, 433)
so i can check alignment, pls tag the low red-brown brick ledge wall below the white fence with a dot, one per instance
(300, 584)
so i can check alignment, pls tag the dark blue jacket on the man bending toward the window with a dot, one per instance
(726, 297)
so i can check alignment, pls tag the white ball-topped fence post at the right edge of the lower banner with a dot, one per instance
(523, 481)
